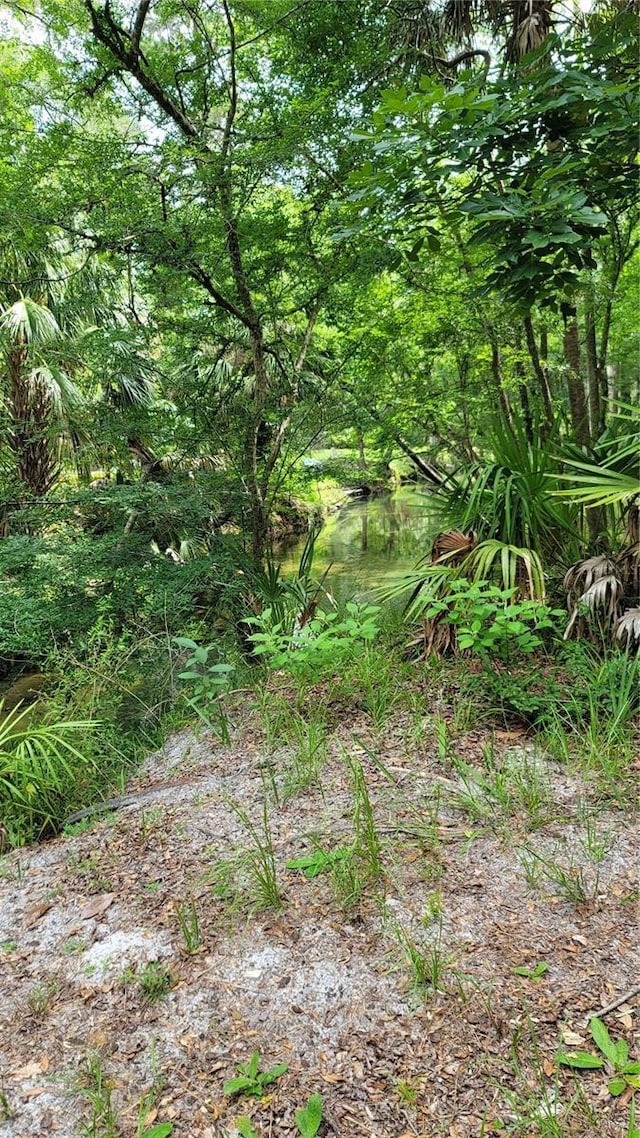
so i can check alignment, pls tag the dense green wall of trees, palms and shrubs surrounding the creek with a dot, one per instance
(236, 234)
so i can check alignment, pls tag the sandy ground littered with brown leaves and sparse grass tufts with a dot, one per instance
(138, 969)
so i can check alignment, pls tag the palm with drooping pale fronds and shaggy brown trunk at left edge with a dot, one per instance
(53, 303)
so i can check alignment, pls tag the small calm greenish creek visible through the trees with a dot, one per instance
(370, 543)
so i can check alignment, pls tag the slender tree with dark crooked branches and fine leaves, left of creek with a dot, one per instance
(221, 204)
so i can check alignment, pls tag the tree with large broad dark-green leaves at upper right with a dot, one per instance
(537, 169)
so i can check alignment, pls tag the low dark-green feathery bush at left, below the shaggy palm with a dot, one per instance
(58, 590)
